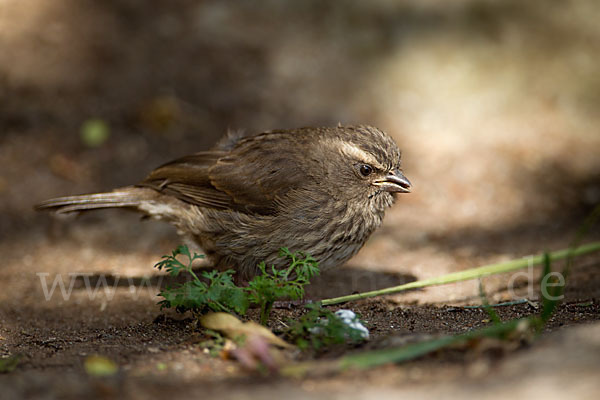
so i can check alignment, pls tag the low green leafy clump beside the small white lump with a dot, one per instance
(321, 327)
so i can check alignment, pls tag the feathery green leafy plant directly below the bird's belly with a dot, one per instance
(217, 291)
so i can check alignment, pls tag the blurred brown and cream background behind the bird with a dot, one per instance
(495, 104)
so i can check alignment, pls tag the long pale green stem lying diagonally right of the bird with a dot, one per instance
(473, 273)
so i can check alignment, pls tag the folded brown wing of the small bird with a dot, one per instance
(249, 178)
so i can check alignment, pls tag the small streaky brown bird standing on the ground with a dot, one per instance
(322, 191)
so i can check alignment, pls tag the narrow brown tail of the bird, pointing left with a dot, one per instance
(128, 197)
